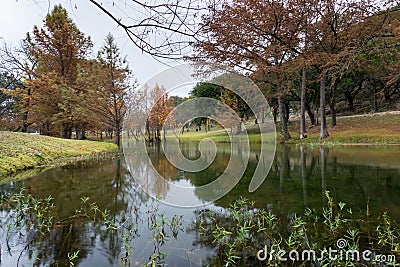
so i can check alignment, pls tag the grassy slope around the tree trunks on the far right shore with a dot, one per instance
(377, 129)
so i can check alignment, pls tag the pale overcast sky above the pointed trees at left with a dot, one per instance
(19, 16)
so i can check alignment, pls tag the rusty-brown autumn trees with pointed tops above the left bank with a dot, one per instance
(54, 84)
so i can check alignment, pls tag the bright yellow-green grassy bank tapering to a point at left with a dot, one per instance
(19, 151)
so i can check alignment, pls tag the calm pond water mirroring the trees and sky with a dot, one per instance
(131, 228)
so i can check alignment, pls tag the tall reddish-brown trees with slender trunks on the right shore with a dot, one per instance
(318, 56)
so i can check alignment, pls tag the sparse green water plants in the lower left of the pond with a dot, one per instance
(32, 221)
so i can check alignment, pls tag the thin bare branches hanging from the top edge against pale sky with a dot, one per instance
(164, 30)
